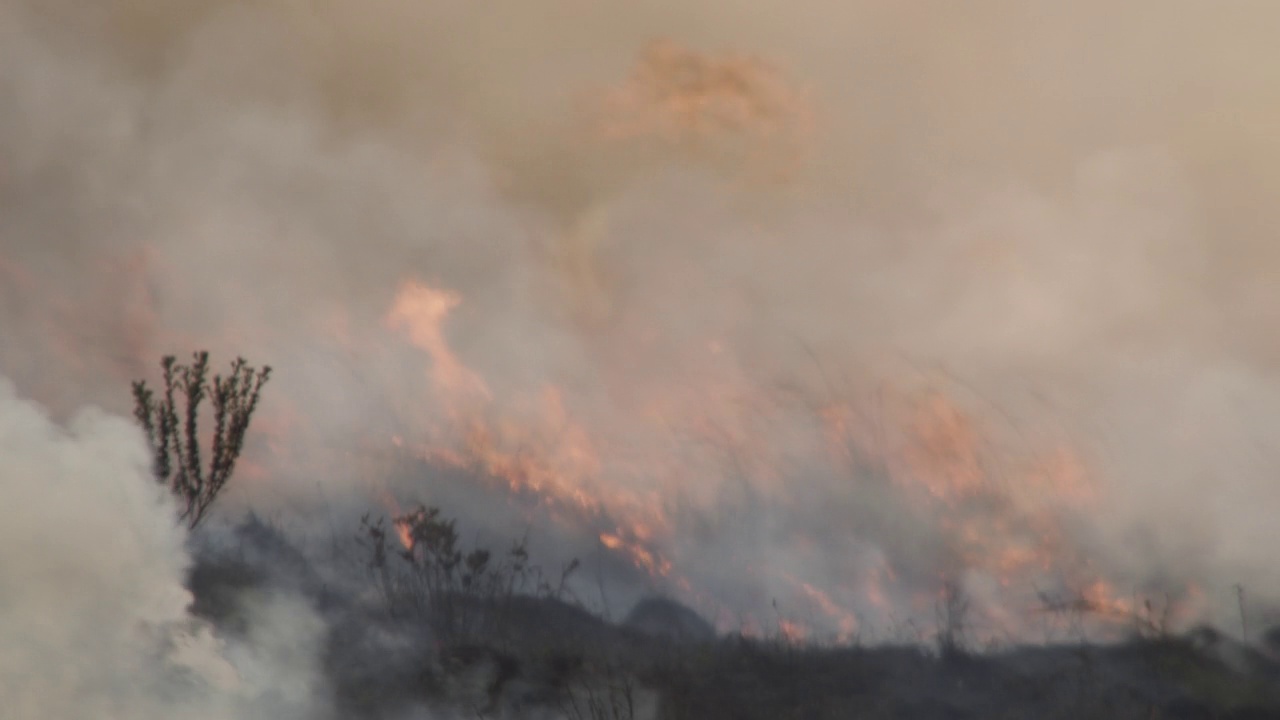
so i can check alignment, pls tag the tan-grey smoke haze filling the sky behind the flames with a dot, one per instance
(1064, 211)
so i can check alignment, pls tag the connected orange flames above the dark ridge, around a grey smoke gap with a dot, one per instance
(1000, 520)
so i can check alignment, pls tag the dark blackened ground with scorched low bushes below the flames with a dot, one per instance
(435, 630)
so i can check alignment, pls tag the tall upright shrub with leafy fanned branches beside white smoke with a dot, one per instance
(173, 431)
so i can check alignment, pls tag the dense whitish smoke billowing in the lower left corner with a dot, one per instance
(95, 617)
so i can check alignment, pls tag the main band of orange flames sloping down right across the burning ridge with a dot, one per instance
(980, 520)
